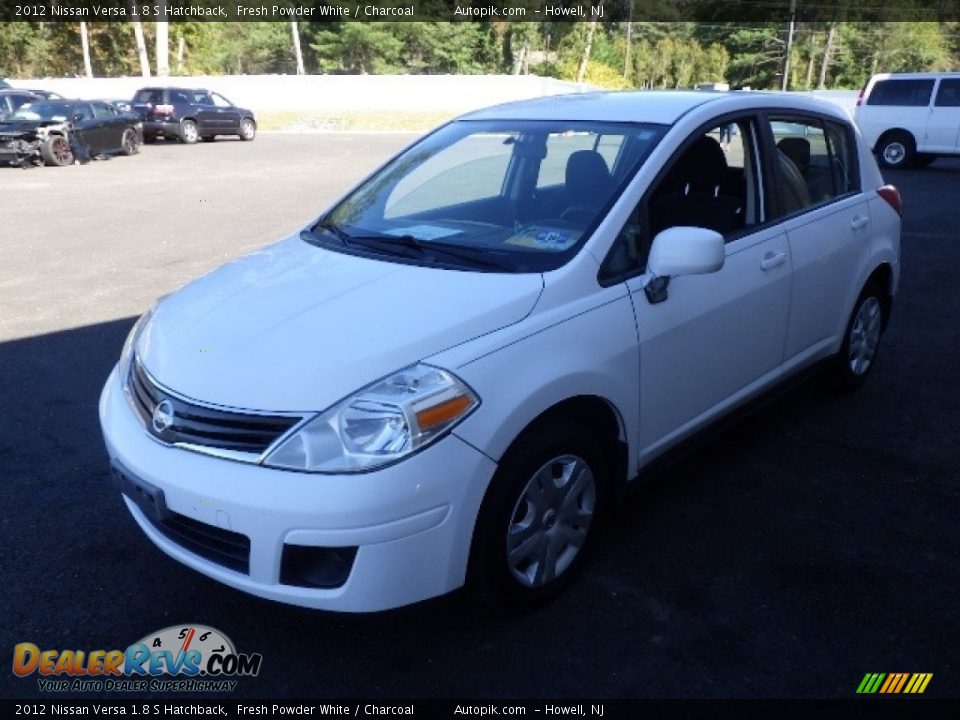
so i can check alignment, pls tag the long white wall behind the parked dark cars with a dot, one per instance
(332, 93)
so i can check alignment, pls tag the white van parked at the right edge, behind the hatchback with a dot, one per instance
(910, 118)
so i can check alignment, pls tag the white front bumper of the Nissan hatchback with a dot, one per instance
(411, 523)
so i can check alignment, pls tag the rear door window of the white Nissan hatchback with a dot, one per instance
(815, 162)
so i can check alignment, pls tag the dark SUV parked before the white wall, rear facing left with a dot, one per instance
(189, 114)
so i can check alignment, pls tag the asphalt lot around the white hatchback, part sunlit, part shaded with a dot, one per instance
(805, 546)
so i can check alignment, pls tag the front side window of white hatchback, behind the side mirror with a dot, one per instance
(712, 182)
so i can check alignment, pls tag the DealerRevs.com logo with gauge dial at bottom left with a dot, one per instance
(180, 658)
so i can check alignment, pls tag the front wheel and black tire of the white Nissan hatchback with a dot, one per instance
(531, 539)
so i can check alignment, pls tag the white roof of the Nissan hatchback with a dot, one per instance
(647, 106)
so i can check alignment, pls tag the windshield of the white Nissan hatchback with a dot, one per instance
(517, 196)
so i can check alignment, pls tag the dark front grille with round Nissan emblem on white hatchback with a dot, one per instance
(193, 424)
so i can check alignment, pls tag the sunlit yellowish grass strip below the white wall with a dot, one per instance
(386, 120)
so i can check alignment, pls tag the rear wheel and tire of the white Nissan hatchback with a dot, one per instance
(861, 339)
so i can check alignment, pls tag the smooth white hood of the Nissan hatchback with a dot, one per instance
(294, 327)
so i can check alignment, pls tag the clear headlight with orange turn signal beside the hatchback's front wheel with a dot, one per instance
(378, 425)
